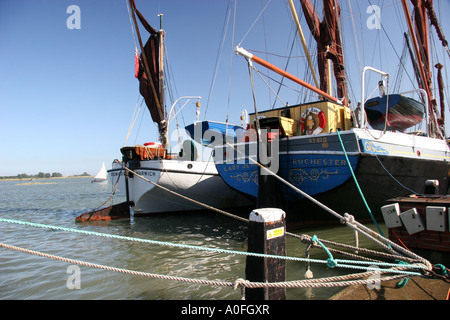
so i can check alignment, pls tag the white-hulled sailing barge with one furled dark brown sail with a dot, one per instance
(159, 181)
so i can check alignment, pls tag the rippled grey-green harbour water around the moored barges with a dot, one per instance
(57, 202)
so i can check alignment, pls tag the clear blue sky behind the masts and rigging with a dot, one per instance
(67, 95)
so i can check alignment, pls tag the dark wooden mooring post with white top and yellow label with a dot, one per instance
(267, 235)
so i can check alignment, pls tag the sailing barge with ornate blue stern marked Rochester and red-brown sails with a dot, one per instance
(328, 150)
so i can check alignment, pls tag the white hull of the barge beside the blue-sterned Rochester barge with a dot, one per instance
(197, 180)
